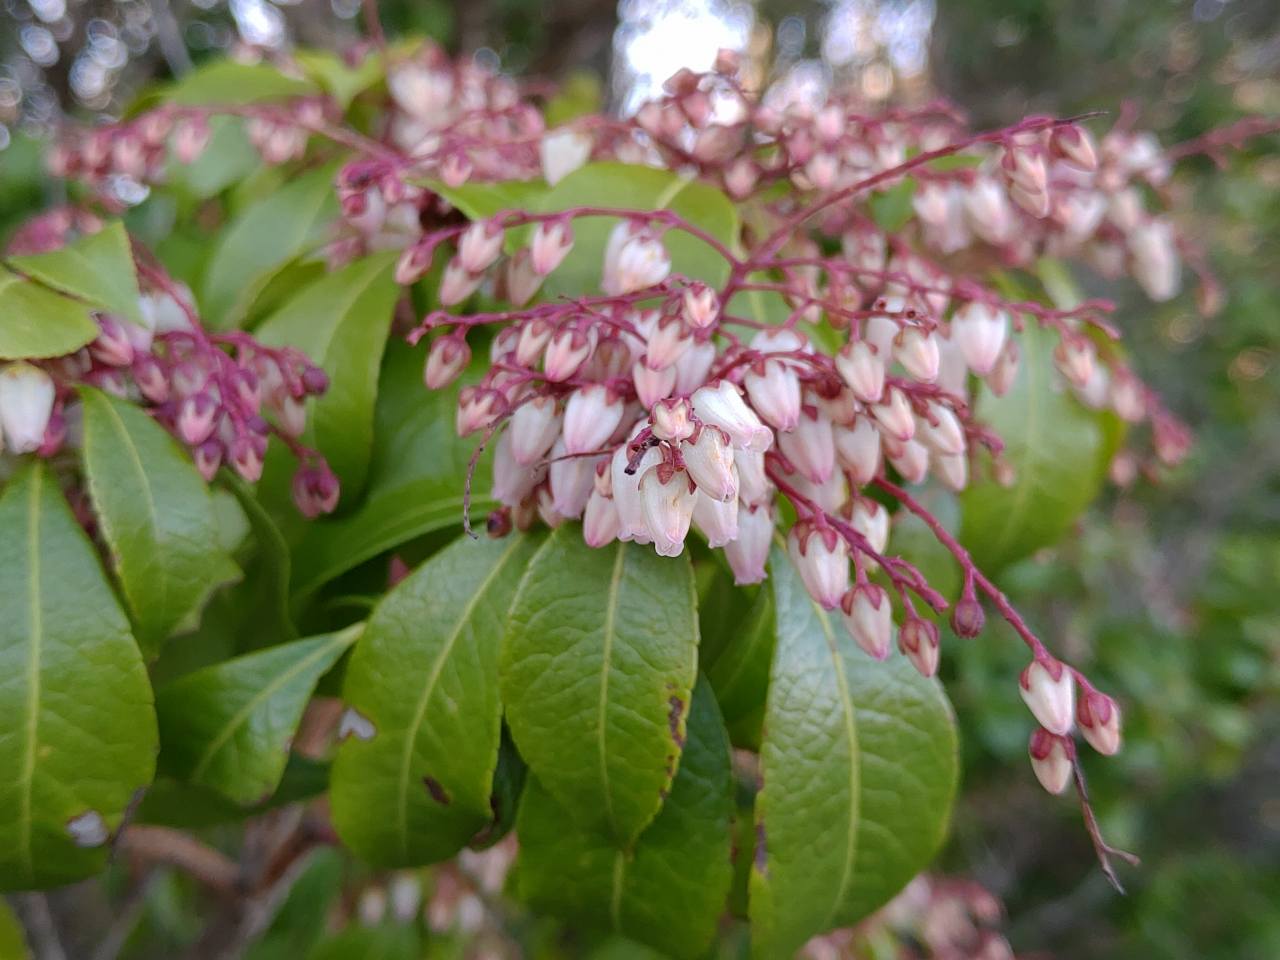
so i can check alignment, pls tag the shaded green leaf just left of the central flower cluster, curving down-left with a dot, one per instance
(417, 478)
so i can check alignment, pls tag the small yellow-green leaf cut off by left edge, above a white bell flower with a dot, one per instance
(35, 322)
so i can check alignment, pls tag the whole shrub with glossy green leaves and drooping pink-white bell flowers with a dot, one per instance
(843, 348)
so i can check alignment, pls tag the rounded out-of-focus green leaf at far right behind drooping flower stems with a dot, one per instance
(1054, 445)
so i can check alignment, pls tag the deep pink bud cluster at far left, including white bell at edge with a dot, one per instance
(222, 396)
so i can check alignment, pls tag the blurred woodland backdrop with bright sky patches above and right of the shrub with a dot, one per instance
(1168, 596)
